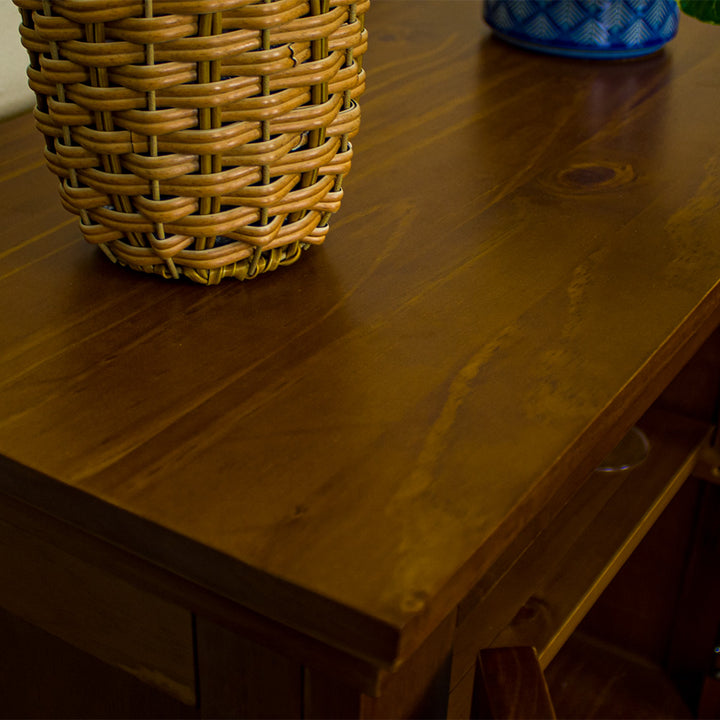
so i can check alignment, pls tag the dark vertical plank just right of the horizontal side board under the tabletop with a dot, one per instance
(239, 678)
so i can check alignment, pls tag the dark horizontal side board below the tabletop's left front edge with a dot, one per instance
(86, 606)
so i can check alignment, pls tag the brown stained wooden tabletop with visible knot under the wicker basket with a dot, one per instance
(527, 248)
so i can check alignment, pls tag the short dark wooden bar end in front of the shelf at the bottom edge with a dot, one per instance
(509, 684)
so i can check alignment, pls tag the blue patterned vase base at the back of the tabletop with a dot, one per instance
(585, 28)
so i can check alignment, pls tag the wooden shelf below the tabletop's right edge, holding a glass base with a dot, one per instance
(541, 599)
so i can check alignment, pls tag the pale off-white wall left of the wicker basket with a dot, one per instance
(15, 95)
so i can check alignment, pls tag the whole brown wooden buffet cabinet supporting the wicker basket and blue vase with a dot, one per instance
(322, 492)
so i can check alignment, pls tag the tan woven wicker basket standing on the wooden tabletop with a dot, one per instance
(198, 138)
